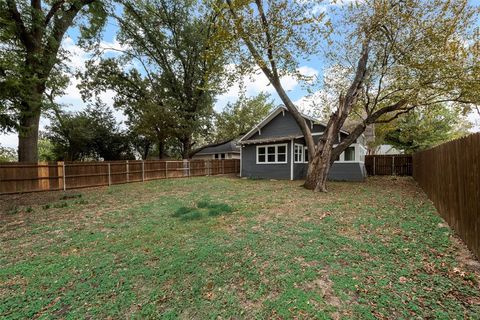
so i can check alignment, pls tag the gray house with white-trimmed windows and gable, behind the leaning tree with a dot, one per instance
(276, 149)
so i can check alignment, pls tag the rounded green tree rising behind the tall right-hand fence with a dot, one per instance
(423, 128)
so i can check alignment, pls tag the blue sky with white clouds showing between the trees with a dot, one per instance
(253, 84)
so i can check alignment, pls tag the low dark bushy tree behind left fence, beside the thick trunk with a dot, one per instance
(89, 134)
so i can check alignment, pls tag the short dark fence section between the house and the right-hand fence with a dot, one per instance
(389, 165)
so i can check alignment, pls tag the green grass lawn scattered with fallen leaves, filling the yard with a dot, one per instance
(220, 247)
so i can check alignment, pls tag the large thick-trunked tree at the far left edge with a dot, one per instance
(31, 35)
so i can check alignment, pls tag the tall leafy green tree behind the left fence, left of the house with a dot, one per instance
(172, 94)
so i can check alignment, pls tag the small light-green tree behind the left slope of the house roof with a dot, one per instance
(241, 116)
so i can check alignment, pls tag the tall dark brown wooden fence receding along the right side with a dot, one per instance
(450, 176)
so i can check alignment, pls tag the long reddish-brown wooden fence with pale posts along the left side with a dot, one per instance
(21, 177)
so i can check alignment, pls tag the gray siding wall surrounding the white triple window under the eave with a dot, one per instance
(251, 169)
